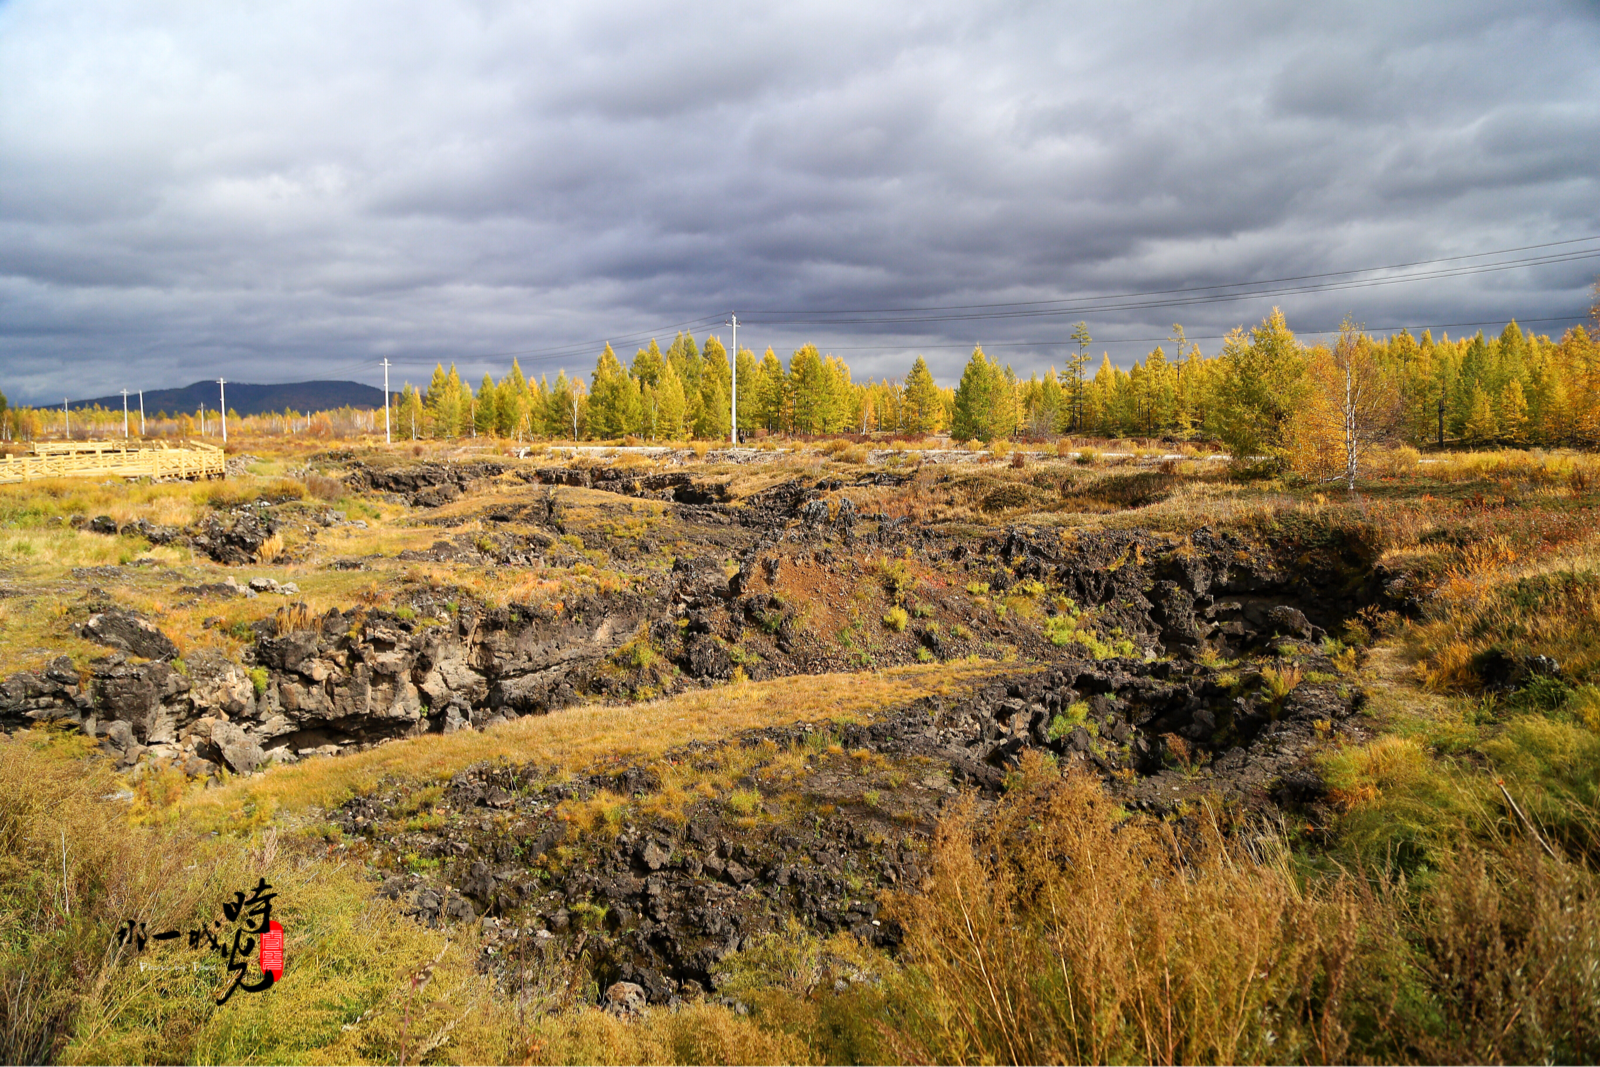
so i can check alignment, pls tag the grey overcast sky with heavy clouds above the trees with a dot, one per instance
(282, 191)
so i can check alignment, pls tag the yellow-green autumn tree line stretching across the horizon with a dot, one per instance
(1262, 394)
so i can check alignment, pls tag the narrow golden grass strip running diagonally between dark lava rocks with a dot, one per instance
(582, 740)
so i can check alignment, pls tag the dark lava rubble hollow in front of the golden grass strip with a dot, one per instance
(826, 818)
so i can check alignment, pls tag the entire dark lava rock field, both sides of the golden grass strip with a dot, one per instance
(1175, 665)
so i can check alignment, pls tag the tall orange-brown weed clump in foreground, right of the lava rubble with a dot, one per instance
(1055, 933)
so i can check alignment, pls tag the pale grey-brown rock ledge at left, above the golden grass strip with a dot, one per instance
(314, 689)
